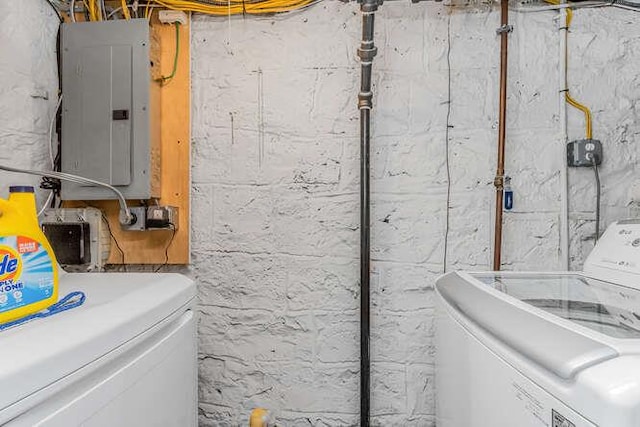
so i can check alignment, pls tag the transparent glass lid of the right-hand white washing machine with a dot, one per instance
(603, 307)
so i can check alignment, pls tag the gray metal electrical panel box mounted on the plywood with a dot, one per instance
(110, 105)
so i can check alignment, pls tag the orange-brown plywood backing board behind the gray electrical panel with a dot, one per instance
(161, 246)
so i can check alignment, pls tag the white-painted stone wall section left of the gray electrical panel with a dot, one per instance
(28, 86)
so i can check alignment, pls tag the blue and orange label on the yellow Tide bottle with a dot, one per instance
(26, 272)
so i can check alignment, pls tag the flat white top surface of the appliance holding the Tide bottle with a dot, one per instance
(118, 307)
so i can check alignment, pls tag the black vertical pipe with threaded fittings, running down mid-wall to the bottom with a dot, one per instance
(366, 53)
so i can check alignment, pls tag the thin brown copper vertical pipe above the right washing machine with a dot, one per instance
(502, 124)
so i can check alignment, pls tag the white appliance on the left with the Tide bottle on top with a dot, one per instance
(127, 357)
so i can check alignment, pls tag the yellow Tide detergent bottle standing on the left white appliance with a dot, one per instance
(28, 267)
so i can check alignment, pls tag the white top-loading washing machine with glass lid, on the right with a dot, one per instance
(543, 349)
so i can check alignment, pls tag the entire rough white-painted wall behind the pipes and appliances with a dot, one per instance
(275, 240)
